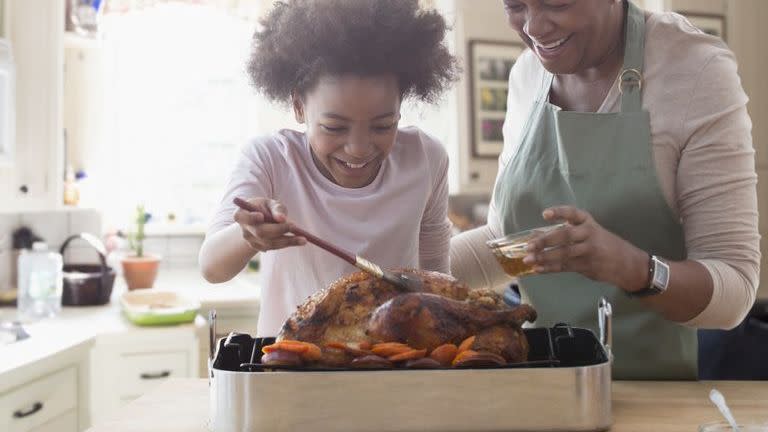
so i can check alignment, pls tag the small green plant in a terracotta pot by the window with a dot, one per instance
(139, 268)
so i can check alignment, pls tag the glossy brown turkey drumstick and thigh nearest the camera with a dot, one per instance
(423, 320)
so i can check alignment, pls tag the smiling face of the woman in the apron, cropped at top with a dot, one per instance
(568, 36)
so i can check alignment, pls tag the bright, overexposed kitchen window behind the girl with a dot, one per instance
(179, 106)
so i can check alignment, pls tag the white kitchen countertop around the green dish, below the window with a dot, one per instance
(77, 327)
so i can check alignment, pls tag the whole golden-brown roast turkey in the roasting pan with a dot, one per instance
(361, 310)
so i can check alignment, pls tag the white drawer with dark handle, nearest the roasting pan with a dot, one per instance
(140, 372)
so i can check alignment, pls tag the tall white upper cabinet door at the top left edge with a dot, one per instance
(35, 29)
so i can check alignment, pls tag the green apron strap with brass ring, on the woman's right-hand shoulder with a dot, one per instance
(631, 78)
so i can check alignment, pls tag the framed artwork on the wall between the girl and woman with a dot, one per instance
(488, 67)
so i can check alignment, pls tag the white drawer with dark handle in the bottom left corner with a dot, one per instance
(37, 402)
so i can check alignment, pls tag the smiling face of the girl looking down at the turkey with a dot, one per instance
(351, 125)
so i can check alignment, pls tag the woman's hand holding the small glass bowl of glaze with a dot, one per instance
(585, 247)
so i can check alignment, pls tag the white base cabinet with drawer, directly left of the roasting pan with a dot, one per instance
(127, 365)
